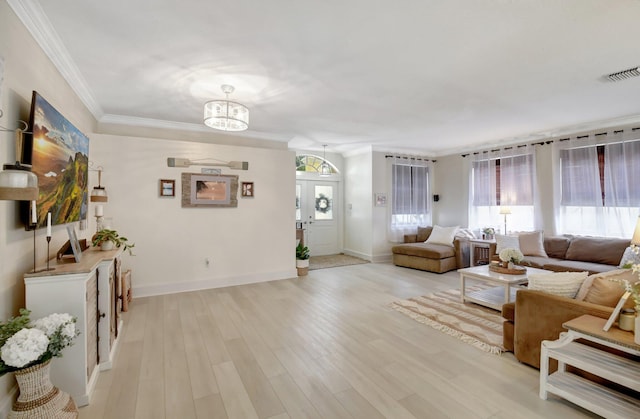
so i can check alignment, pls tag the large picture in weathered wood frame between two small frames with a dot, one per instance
(202, 190)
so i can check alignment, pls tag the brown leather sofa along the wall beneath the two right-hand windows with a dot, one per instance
(577, 253)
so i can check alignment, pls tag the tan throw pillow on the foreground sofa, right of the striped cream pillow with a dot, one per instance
(605, 288)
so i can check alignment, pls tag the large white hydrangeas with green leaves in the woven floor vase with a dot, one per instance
(24, 344)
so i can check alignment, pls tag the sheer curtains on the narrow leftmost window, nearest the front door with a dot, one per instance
(410, 196)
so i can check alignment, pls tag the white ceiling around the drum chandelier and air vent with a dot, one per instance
(430, 76)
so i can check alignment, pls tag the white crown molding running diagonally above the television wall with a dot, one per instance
(37, 23)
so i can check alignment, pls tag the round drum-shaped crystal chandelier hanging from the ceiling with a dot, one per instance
(226, 115)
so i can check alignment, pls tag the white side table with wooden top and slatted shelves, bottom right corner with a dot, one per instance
(588, 394)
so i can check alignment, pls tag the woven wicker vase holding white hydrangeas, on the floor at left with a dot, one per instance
(38, 398)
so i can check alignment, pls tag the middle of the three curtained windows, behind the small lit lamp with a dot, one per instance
(503, 178)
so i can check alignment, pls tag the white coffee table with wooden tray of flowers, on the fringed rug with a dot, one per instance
(493, 297)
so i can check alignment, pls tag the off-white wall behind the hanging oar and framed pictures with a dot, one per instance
(251, 243)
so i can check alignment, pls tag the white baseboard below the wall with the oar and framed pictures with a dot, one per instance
(176, 287)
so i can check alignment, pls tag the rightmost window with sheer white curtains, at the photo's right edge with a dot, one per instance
(599, 193)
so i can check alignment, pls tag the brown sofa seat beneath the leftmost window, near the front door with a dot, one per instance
(439, 258)
